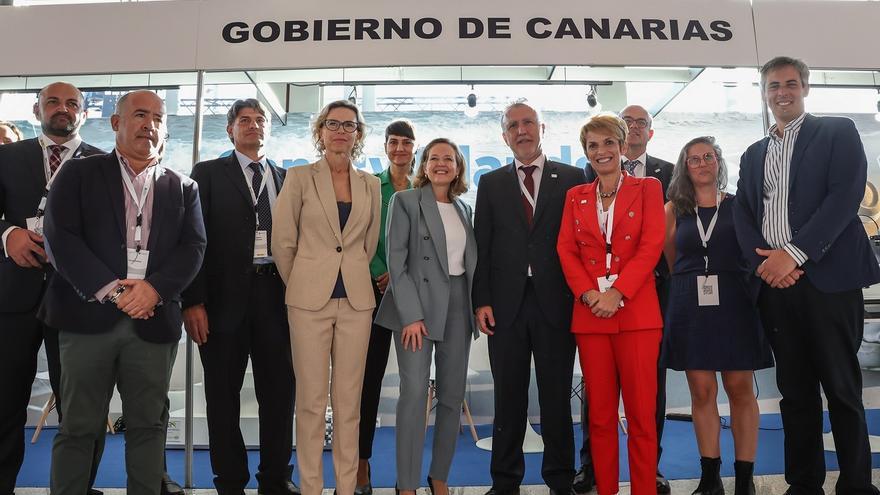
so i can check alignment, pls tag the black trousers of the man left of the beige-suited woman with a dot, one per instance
(265, 338)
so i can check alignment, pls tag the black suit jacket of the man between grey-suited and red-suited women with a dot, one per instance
(507, 245)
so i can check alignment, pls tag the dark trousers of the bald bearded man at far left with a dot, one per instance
(20, 337)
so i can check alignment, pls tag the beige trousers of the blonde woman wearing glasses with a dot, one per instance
(333, 340)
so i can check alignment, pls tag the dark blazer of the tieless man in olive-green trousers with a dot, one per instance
(85, 236)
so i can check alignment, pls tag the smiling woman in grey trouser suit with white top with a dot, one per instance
(432, 254)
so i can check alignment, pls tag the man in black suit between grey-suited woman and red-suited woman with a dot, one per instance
(523, 302)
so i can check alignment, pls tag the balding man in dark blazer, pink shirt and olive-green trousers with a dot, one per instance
(126, 237)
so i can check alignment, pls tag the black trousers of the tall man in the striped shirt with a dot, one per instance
(815, 337)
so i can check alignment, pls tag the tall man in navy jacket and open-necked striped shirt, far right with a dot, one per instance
(796, 221)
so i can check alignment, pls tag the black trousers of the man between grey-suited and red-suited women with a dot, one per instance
(510, 353)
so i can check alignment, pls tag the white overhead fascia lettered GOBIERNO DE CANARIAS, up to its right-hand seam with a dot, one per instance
(273, 34)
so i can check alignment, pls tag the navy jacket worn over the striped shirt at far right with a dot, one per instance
(826, 184)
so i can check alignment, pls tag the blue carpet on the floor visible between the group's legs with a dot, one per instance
(680, 459)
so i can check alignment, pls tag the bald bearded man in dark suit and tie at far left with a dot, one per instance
(27, 169)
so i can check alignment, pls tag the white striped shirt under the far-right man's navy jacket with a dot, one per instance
(777, 164)
